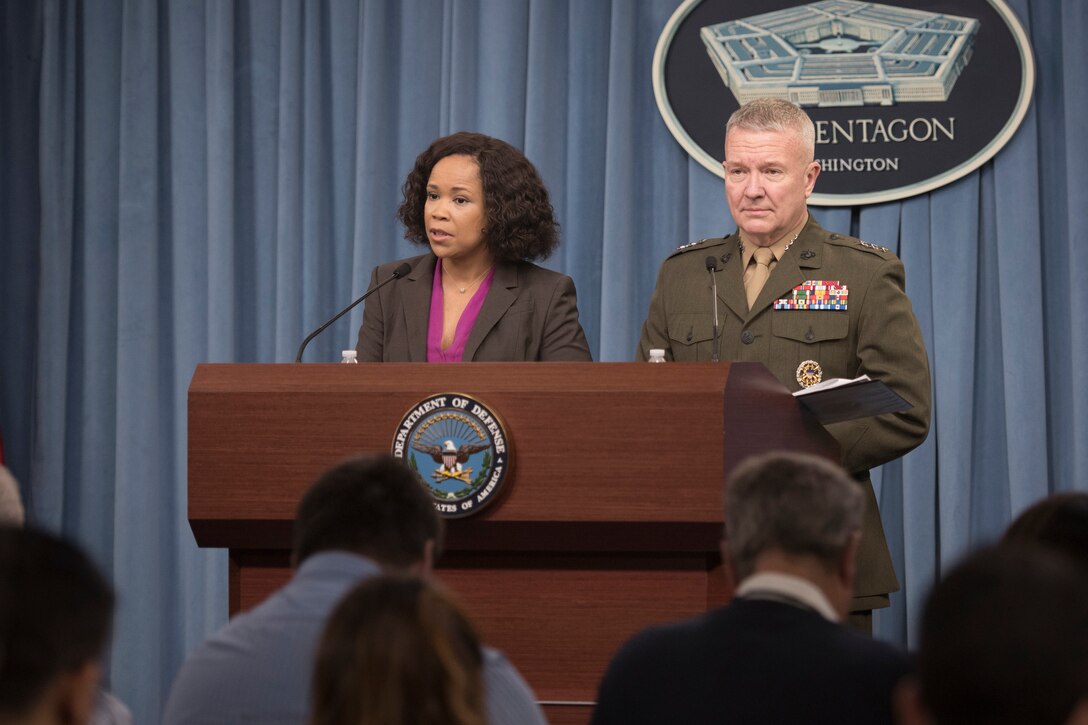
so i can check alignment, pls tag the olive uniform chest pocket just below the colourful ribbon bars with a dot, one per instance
(820, 336)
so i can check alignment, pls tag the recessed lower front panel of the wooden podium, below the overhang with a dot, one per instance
(558, 618)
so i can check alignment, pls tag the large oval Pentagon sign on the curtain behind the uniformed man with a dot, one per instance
(907, 96)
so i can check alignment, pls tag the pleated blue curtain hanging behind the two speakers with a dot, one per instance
(188, 182)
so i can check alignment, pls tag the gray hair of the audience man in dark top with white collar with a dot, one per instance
(792, 502)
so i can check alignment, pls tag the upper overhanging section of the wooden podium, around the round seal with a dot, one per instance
(591, 443)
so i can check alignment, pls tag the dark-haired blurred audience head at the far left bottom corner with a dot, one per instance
(56, 612)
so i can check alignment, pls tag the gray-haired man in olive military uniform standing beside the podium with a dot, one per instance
(809, 304)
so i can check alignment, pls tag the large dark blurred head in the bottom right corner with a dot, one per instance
(1004, 642)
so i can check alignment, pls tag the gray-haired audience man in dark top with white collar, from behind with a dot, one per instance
(777, 654)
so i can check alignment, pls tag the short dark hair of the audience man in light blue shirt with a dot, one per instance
(369, 506)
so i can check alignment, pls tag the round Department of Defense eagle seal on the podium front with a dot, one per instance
(460, 449)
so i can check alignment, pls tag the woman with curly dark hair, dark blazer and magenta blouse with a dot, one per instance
(483, 208)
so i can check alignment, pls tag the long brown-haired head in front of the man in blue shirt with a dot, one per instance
(399, 652)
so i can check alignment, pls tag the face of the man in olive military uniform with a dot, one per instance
(769, 180)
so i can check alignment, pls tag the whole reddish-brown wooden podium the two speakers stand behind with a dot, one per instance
(609, 521)
